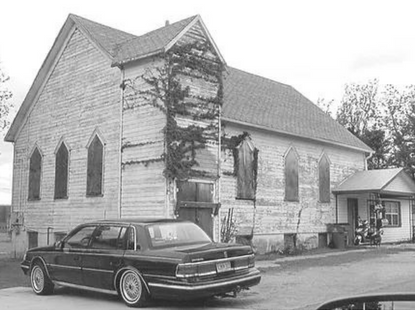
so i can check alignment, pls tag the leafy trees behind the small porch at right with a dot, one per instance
(384, 120)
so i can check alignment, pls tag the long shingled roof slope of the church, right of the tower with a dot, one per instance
(261, 102)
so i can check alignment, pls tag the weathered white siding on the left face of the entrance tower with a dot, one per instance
(143, 183)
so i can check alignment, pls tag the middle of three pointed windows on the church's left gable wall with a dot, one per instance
(61, 172)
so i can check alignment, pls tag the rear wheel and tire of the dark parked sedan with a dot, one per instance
(132, 289)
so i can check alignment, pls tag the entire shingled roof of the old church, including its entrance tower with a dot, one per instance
(248, 99)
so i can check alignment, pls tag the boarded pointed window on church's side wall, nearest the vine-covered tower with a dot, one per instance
(245, 171)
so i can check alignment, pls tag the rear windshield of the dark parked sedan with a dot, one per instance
(176, 233)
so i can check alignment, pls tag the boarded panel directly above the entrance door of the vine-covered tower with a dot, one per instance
(194, 191)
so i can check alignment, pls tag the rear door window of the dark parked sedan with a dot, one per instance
(108, 237)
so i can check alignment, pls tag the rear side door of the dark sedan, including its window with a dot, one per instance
(104, 256)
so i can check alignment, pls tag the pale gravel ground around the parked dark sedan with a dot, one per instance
(299, 283)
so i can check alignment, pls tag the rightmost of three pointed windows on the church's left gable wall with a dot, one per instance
(94, 174)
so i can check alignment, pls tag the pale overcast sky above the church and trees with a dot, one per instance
(315, 46)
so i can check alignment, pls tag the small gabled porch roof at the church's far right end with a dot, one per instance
(382, 181)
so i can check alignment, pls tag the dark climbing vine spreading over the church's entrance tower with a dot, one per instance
(192, 112)
